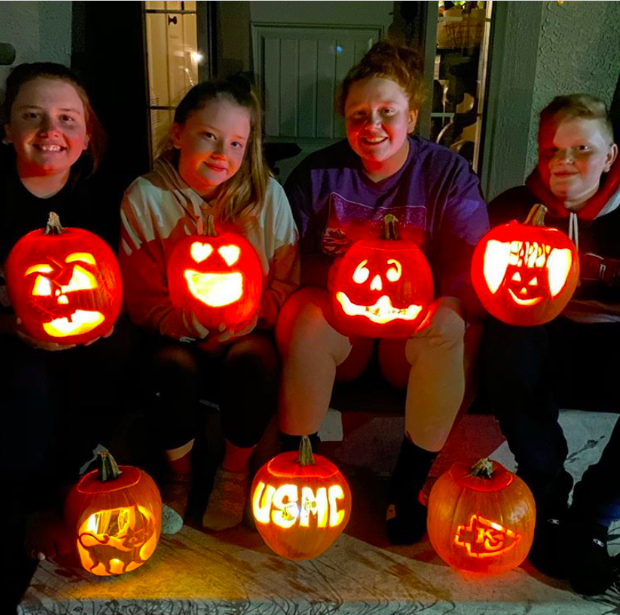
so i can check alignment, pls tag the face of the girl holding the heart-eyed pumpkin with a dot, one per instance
(212, 144)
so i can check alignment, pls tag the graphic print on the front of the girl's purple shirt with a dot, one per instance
(349, 221)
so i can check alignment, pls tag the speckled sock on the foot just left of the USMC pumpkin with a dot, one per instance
(227, 500)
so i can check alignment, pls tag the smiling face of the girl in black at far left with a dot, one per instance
(47, 127)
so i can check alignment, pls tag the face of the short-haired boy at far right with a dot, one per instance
(572, 156)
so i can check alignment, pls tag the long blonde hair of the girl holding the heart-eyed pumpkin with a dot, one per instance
(245, 191)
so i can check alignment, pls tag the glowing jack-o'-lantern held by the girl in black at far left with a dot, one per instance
(64, 284)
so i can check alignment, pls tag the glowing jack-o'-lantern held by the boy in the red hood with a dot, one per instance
(525, 274)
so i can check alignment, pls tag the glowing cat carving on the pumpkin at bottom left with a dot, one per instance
(117, 540)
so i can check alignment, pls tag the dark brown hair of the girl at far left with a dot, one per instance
(24, 73)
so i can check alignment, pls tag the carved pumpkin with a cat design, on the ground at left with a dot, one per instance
(115, 513)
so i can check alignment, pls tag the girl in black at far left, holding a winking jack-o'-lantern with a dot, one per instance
(52, 149)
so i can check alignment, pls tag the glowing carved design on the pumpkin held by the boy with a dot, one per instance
(529, 271)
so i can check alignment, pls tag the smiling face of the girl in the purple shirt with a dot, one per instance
(378, 120)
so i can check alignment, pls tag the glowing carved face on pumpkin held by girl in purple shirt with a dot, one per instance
(381, 311)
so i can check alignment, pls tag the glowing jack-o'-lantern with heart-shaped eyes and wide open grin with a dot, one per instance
(217, 277)
